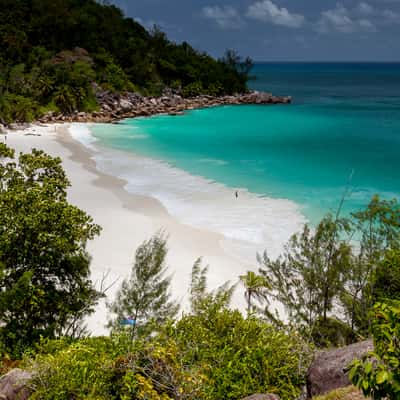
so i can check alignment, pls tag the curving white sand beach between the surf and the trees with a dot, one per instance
(128, 219)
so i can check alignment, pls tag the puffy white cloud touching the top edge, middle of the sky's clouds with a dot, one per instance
(267, 11)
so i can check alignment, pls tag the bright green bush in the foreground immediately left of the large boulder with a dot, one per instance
(242, 356)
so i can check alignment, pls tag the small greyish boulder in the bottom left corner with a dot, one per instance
(14, 385)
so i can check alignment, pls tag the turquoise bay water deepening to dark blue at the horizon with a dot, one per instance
(343, 129)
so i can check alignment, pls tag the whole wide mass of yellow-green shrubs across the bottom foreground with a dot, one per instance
(211, 353)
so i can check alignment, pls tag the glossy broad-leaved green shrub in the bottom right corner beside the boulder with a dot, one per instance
(378, 375)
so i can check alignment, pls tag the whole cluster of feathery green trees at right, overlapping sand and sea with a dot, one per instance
(344, 266)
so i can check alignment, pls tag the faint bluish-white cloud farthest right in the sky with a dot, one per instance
(340, 19)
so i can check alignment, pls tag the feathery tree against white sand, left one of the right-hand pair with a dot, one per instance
(311, 272)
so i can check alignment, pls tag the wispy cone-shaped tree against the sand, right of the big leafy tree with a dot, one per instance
(144, 297)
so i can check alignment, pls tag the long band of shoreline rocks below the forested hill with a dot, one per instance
(114, 107)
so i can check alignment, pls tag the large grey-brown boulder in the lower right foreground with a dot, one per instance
(329, 369)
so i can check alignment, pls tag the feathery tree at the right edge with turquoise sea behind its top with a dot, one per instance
(377, 230)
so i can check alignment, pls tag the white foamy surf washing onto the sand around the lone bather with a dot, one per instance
(249, 223)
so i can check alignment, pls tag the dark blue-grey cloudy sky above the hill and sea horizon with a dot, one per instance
(274, 30)
